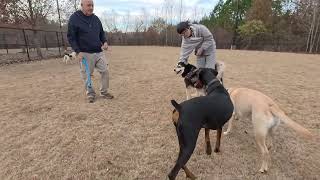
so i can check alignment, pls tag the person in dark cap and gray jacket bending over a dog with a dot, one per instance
(197, 37)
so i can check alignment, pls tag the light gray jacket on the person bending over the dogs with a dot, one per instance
(201, 38)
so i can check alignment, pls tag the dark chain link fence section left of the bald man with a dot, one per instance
(20, 45)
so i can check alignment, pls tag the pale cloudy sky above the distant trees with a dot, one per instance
(192, 9)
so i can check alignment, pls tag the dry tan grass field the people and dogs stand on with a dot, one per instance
(49, 131)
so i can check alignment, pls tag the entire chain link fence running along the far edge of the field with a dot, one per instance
(20, 45)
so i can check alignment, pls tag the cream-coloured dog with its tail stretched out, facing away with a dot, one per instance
(265, 114)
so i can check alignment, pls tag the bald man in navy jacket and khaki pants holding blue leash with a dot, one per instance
(88, 40)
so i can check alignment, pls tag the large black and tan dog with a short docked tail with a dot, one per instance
(210, 112)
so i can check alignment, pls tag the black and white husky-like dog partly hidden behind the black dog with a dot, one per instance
(183, 70)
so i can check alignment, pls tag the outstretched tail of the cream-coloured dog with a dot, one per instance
(277, 112)
